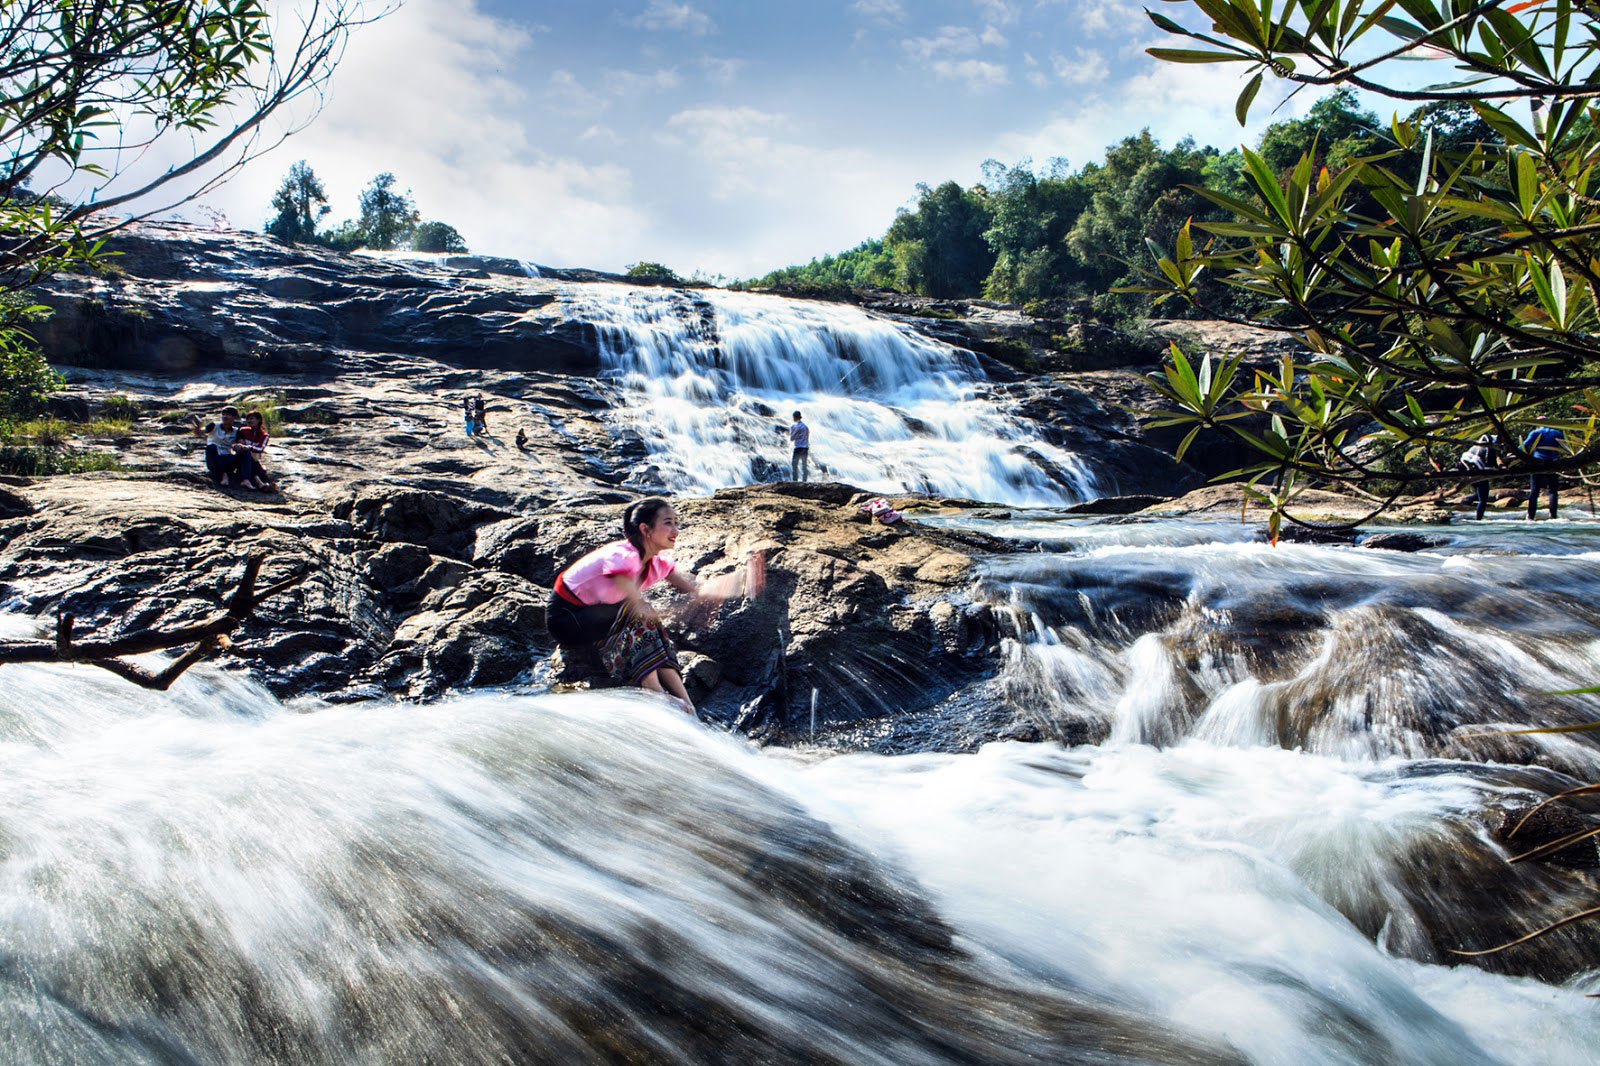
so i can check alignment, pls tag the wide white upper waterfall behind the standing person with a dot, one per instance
(711, 383)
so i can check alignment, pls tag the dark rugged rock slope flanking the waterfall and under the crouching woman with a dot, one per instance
(430, 553)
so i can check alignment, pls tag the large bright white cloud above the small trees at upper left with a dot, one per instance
(417, 95)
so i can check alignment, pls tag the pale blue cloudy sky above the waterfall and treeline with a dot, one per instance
(727, 137)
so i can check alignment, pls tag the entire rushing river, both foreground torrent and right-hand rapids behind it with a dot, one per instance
(210, 876)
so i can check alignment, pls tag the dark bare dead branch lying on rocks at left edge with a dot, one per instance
(207, 638)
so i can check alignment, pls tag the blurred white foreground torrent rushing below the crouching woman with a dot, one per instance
(210, 878)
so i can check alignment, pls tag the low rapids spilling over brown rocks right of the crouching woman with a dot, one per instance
(1161, 631)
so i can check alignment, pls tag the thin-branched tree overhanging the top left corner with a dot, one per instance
(89, 87)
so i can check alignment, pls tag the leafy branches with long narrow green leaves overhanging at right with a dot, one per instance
(1446, 286)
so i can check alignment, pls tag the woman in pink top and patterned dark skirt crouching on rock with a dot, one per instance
(599, 601)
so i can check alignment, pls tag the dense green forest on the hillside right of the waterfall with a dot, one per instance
(1042, 238)
